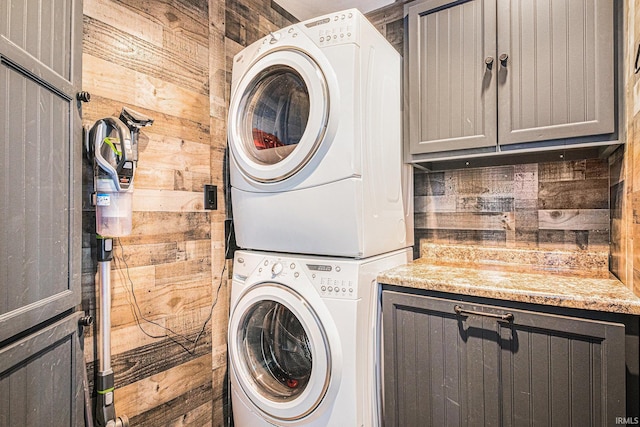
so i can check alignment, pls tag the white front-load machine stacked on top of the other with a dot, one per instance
(315, 138)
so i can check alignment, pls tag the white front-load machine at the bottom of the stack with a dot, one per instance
(303, 339)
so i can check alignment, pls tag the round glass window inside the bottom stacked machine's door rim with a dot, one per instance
(275, 349)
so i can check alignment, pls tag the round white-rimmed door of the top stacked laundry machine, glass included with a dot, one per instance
(278, 115)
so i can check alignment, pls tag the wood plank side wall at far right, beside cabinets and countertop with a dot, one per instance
(625, 164)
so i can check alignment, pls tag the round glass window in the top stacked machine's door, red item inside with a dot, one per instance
(275, 116)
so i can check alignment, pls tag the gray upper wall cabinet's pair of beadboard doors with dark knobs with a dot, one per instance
(484, 74)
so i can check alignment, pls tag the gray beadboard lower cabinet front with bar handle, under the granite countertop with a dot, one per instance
(448, 362)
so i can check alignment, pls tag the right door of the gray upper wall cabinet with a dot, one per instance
(558, 81)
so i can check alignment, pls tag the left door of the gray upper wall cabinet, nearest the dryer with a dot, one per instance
(451, 92)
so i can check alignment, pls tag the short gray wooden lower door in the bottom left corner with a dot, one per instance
(41, 378)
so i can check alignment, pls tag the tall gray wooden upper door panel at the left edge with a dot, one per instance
(40, 161)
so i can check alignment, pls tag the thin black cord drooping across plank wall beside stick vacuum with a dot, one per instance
(169, 333)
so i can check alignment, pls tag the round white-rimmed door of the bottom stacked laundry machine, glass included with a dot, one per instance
(279, 352)
